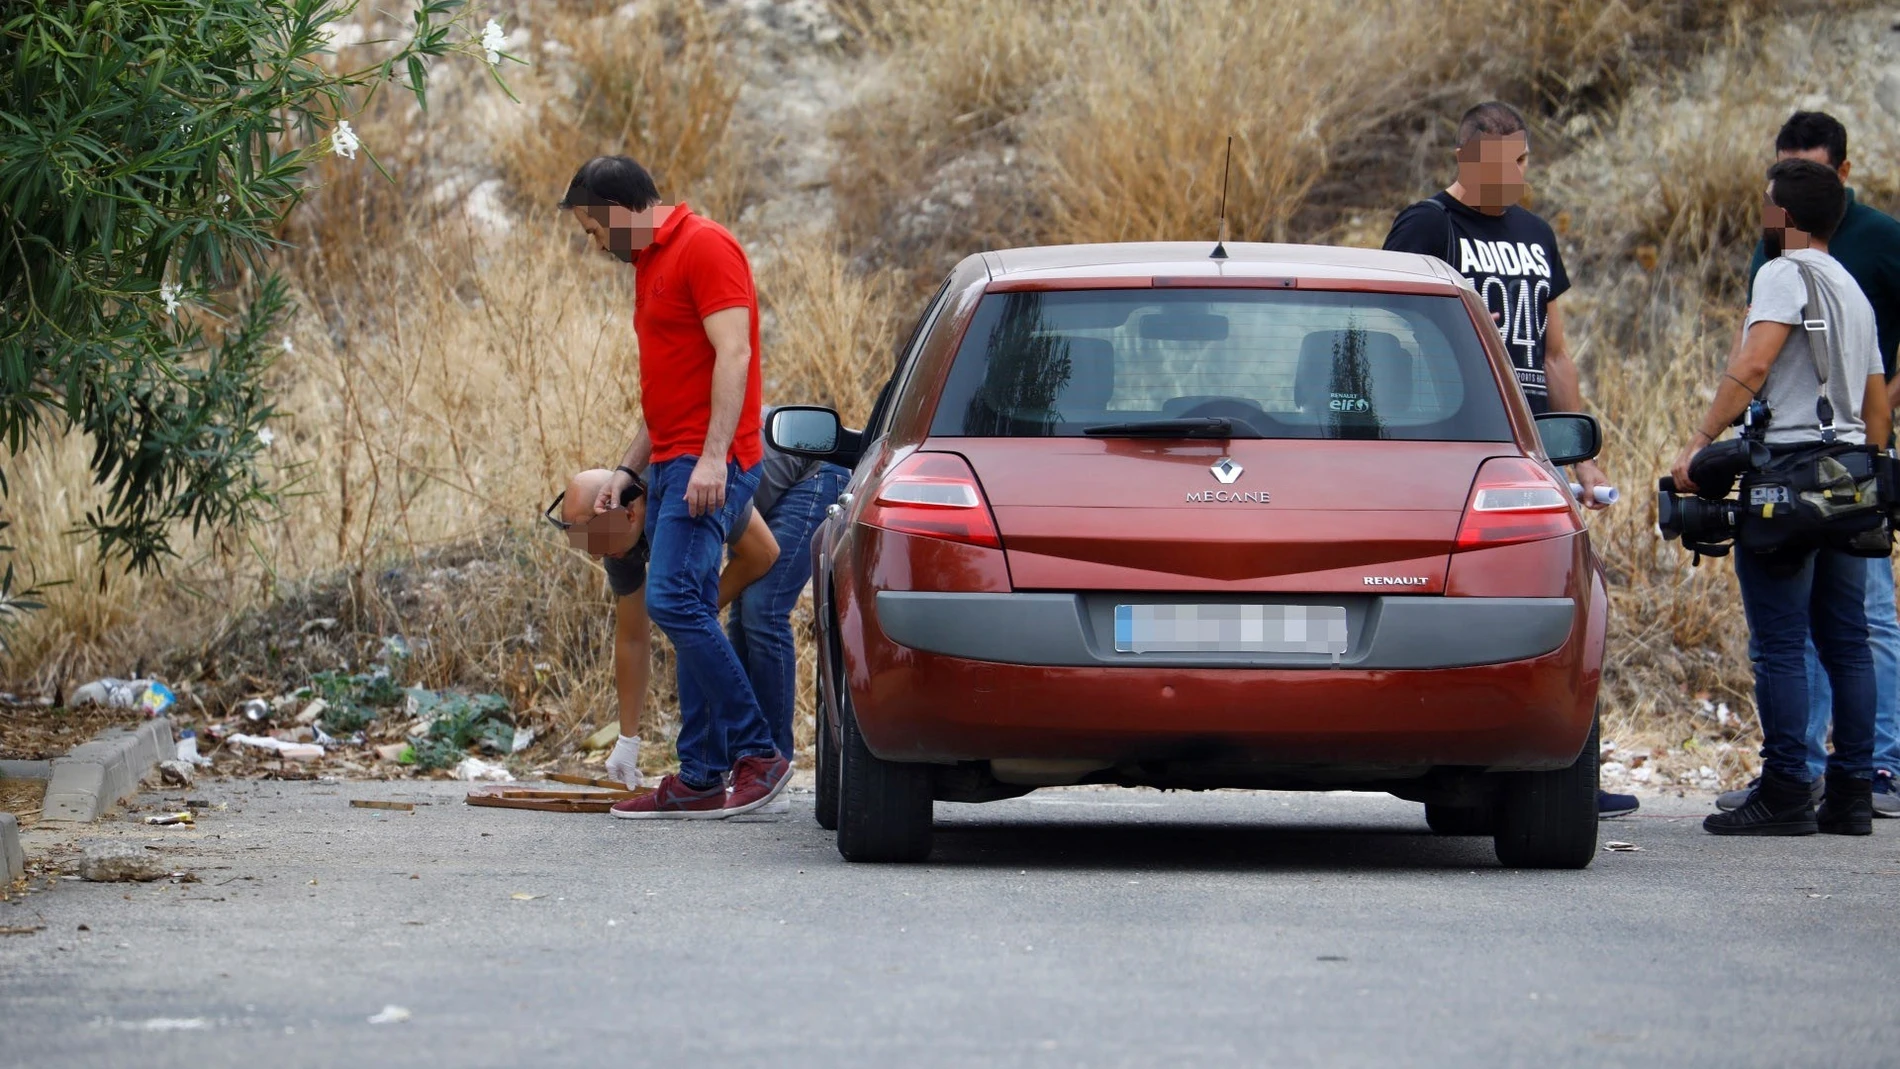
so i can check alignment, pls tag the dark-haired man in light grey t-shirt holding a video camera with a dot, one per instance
(1798, 595)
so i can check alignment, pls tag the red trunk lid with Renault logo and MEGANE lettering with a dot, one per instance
(1287, 516)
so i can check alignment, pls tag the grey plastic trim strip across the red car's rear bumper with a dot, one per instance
(1076, 631)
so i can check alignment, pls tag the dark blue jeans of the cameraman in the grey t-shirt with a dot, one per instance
(1827, 599)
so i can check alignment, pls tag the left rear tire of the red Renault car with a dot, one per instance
(884, 808)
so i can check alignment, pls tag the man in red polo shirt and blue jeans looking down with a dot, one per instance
(696, 318)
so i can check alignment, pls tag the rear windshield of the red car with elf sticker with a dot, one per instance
(1287, 364)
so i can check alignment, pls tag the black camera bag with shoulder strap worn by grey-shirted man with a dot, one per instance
(1829, 495)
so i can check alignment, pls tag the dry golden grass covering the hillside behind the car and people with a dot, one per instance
(447, 373)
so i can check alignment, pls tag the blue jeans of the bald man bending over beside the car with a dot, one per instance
(761, 624)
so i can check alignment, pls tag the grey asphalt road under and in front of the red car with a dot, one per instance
(1061, 929)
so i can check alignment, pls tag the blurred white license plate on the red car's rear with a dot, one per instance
(1230, 629)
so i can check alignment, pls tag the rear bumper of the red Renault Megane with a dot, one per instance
(928, 705)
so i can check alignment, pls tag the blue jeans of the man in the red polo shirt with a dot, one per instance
(719, 715)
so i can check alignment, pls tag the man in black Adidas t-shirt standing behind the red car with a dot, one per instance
(1511, 259)
